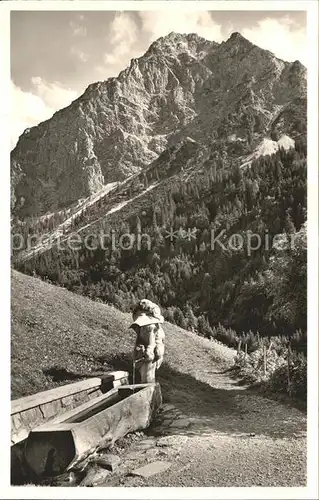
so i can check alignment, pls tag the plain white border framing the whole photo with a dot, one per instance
(311, 490)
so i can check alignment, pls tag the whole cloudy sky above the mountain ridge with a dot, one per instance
(55, 55)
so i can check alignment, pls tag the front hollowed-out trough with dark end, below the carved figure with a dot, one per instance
(60, 444)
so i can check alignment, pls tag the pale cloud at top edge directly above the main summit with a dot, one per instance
(160, 23)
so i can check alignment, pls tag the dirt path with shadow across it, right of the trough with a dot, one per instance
(215, 432)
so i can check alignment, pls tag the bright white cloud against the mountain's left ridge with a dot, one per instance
(29, 109)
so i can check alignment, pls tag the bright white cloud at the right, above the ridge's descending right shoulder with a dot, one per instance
(286, 39)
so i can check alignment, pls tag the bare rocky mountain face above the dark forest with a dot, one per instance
(231, 95)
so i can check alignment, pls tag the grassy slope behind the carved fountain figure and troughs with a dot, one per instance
(58, 337)
